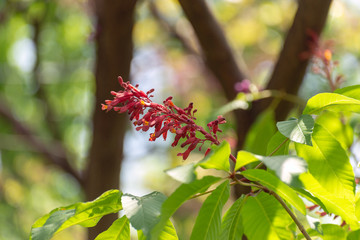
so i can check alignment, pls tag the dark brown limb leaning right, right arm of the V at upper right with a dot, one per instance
(290, 69)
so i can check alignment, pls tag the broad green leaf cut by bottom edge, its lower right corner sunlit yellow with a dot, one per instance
(264, 218)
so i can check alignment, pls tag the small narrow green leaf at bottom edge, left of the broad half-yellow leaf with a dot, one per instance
(231, 226)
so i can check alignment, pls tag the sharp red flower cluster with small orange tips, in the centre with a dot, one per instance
(146, 114)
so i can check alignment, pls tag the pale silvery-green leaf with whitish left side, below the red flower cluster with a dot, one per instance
(143, 212)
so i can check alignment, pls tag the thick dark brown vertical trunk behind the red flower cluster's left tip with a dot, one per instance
(115, 21)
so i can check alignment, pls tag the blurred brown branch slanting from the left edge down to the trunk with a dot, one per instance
(56, 157)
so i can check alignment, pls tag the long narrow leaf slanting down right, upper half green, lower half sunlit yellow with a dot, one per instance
(273, 183)
